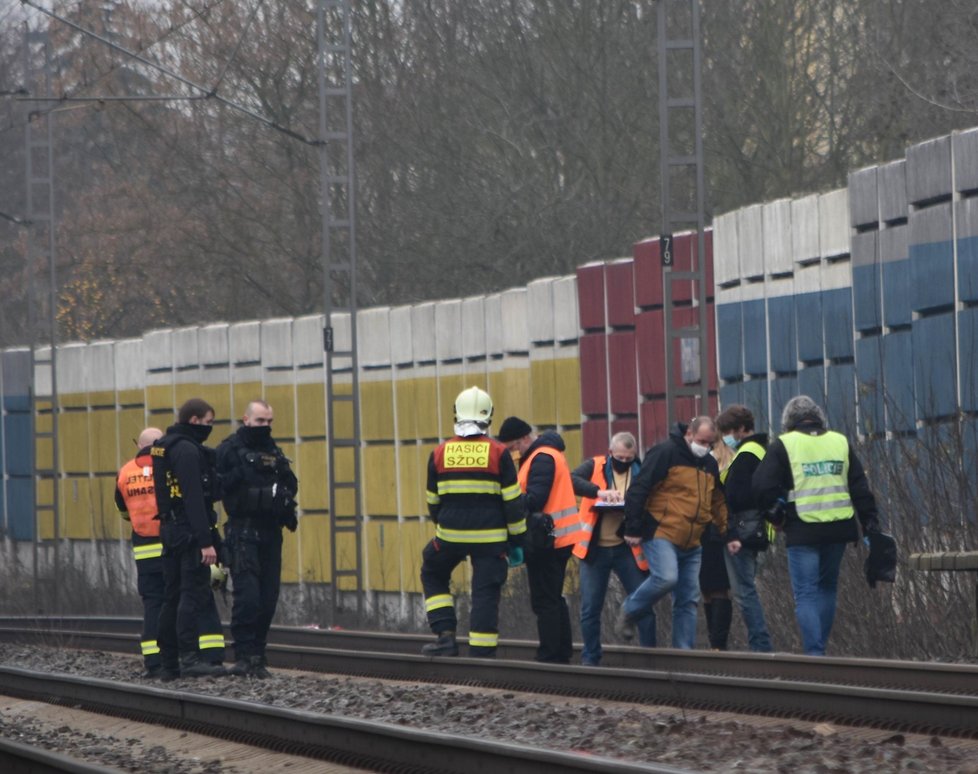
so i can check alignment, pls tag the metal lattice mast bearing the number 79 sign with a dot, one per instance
(683, 204)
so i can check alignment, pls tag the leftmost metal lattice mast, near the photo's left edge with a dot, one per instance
(42, 306)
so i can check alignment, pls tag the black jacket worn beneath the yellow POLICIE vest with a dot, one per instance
(773, 480)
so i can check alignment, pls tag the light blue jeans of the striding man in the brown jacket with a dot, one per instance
(675, 570)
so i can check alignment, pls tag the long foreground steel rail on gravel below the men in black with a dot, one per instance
(378, 746)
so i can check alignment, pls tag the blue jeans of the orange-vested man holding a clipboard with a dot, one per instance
(595, 573)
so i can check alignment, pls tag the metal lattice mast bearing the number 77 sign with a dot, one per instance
(337, 193)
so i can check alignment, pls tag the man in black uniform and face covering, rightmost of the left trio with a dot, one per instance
(259, 497)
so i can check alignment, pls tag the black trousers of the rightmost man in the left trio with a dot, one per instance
(256, 572)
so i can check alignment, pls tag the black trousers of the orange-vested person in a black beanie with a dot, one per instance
(545, 570)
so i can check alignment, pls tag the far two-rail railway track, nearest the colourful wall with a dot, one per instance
(916, 697)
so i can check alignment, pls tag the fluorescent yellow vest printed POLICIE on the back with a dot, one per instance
(820, 470)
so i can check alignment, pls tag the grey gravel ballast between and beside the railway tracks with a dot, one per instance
(696, 740)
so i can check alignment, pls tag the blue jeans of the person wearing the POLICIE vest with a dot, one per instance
(814, 572)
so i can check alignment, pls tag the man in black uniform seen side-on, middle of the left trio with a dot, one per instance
(186, 487)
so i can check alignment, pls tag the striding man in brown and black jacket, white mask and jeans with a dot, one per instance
(672, 499)
